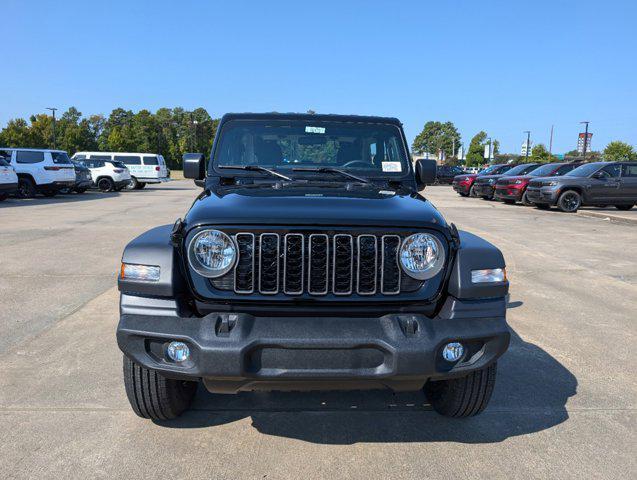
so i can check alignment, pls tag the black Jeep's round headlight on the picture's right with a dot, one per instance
(422, 256)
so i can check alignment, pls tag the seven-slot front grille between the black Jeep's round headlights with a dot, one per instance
(316, 264)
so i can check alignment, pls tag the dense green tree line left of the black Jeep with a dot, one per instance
(170, 132)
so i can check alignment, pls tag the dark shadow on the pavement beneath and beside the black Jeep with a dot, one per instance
(531, 393)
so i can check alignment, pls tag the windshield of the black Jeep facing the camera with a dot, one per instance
(367, 149)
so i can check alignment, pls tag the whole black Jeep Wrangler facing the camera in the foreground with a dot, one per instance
(310, 261)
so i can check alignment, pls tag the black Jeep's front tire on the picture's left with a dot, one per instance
(154, 396)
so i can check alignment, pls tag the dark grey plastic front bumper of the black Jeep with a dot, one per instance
(237, 351)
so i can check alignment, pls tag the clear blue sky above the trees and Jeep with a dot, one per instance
(499, 66)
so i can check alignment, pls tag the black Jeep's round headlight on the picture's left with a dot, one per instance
(212, 253)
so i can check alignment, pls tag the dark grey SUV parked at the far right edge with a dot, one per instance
(598, 183)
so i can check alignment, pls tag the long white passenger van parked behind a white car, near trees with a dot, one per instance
(144, 167)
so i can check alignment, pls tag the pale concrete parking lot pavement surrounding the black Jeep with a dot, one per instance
(564, 405)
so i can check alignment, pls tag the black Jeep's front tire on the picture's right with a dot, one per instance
(464, 396)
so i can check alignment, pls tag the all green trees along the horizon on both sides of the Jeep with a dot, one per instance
(172, 132)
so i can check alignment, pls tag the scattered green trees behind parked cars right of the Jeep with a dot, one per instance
(444, 137)
